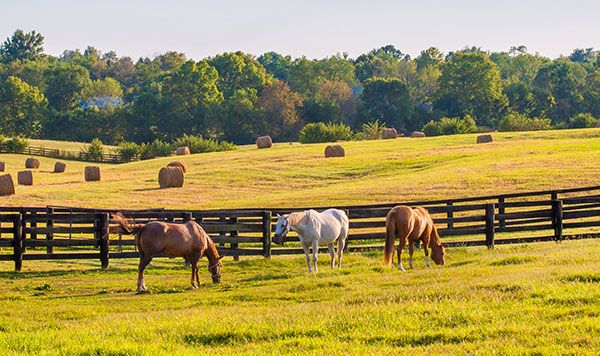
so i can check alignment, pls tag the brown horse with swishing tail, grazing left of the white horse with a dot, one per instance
(187, 240)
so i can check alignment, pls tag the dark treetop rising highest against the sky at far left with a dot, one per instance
(22, 46)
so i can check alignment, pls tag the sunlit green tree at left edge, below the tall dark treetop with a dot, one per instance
(22, 108)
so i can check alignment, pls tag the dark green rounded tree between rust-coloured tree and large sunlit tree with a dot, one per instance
(386, 100)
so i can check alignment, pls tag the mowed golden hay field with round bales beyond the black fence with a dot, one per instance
(294, 175)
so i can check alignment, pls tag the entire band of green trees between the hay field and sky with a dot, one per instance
(79, 96)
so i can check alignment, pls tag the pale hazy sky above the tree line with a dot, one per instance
(313, 28)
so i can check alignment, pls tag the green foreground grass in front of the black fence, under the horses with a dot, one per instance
(541, 299)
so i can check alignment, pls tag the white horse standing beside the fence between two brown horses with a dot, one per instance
(315, 229)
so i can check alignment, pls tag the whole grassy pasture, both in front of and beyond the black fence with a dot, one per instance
(534, 298)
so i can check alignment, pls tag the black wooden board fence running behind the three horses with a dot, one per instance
(70, 233)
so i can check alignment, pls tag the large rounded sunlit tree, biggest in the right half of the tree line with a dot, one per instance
(470, 84)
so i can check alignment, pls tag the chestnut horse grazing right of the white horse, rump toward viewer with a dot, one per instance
(411, 225)
